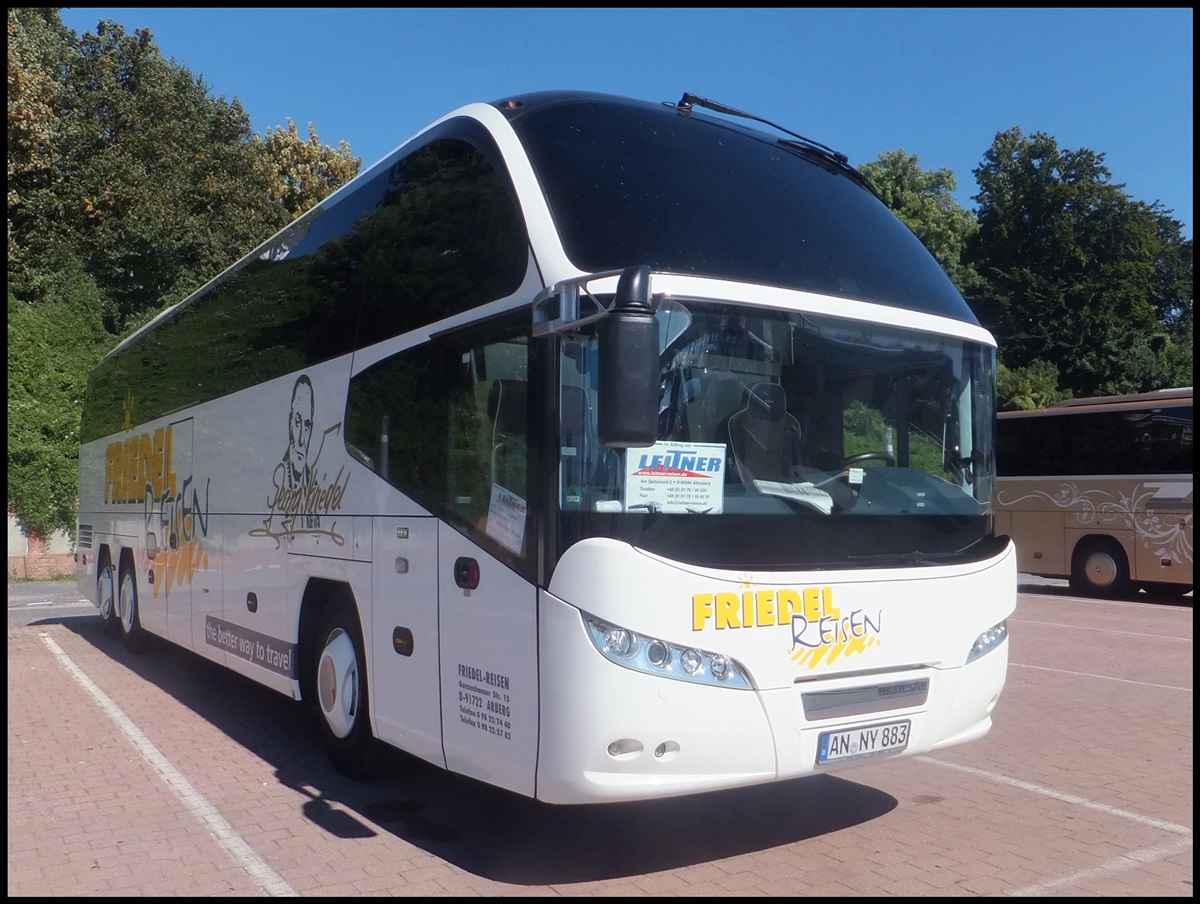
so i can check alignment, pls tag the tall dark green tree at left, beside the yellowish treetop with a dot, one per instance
(158, 185)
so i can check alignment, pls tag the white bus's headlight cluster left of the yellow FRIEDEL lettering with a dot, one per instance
(664, 658)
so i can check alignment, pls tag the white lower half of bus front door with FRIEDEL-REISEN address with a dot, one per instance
(489, 628)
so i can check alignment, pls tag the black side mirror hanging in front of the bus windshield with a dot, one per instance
(628, 406)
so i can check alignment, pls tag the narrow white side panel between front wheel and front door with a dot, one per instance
(404, 638)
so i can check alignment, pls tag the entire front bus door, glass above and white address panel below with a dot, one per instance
(488, 609)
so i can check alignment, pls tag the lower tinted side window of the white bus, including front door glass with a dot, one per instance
(459, 420)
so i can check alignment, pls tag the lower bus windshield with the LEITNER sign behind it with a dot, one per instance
(873, 442)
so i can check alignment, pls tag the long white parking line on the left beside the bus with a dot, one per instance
(225, 835)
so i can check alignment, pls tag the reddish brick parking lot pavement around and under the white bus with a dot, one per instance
(1083, 788)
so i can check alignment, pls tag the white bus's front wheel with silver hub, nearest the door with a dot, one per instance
(340, 679)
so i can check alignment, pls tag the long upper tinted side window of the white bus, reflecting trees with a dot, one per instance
(434, 235)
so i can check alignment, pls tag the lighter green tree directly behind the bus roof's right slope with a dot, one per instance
(925, 201)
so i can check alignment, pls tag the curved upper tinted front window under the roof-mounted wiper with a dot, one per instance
(641, 184)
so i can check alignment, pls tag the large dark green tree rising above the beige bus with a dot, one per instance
(1071, 264)
